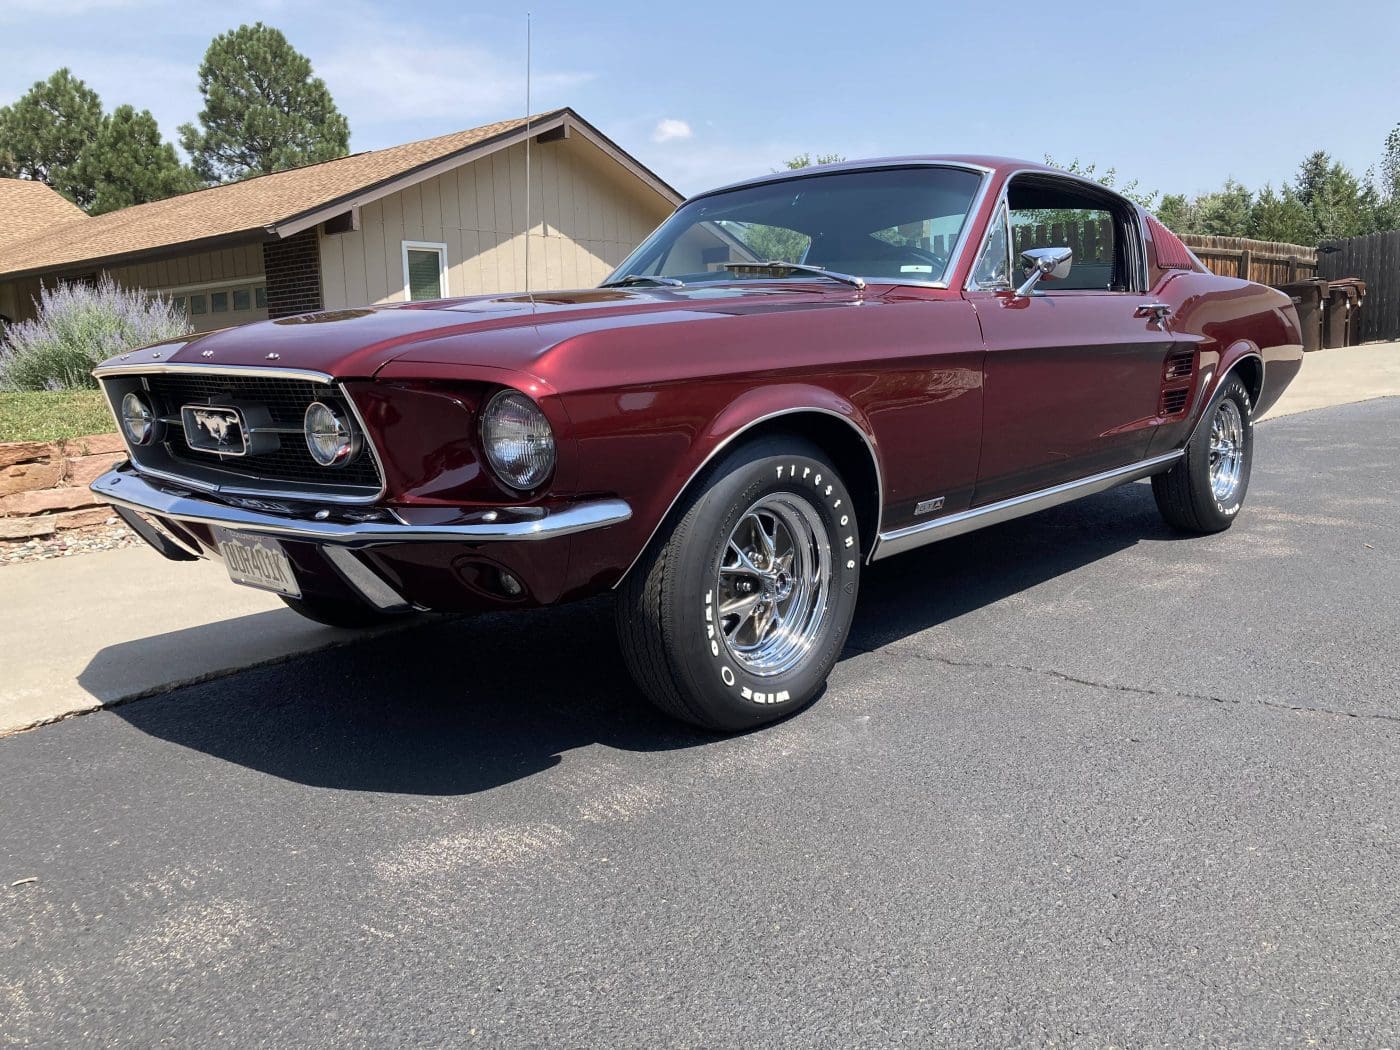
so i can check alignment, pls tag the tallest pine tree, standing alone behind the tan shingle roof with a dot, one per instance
(264, 110)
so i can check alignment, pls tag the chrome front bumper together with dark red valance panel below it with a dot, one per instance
(387, 562)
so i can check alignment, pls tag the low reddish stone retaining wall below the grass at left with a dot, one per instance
(44, 485)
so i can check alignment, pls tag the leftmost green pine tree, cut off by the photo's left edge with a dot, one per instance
(44, 134)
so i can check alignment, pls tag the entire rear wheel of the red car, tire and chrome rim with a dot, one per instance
(1203, 493)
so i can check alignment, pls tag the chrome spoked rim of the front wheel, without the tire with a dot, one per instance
(773, 584)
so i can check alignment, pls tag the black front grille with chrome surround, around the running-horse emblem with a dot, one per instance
(286, 474)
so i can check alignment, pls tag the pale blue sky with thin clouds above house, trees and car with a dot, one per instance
(1178, 96)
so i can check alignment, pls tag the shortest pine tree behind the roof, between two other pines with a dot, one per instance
(128, 163)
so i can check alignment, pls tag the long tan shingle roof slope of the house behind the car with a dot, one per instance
(237, 208)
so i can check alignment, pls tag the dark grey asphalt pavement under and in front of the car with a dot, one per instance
(1079, 782)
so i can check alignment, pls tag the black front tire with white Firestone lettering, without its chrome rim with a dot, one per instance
(731, 695)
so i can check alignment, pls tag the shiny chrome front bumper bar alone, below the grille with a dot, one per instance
(124, 488)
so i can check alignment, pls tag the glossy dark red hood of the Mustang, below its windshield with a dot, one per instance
(492, 331)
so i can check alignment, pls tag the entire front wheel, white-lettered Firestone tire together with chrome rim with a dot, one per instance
(729, 629)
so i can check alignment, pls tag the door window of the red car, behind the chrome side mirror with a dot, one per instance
(1048, 215)
